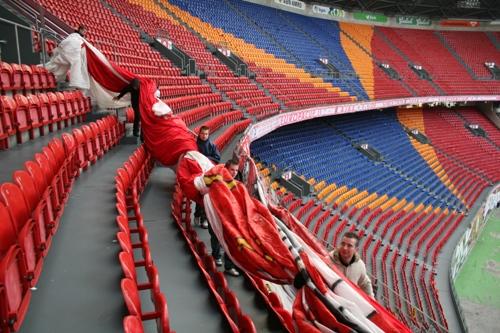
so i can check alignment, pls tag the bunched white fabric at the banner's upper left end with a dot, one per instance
(70, 56)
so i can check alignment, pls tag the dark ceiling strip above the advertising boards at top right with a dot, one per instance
(464, 9)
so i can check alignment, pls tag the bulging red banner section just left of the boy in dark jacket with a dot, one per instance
(166, 138)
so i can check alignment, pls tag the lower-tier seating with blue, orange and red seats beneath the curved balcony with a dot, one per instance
(418, 224)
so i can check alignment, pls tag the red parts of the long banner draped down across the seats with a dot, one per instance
(248, 227)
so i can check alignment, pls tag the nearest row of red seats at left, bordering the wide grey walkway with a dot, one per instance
(30, 211)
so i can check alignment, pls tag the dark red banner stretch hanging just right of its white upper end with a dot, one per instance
(104, 75)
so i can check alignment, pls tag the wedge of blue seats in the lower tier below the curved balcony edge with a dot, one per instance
(400, 158)
